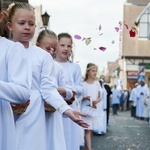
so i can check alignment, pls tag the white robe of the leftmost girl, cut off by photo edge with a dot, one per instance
(14, 87)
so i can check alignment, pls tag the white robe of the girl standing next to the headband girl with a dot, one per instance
(73, 73)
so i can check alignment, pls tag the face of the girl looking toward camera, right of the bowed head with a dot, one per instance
(64, 49)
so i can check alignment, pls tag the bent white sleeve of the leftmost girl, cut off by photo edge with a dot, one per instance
(16, 87)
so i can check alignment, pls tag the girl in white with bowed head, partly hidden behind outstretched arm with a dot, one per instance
(47, 40)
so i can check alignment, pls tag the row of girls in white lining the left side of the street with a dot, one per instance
(60, 110)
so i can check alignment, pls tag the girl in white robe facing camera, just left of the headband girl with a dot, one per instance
(73, 73)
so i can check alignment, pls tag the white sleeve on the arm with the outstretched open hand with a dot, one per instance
(48, 89)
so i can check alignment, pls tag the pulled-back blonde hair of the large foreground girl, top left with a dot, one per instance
(17, 6)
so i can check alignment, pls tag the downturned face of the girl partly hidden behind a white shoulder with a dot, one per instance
(48, 44)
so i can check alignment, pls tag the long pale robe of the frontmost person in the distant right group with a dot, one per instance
(140, 105)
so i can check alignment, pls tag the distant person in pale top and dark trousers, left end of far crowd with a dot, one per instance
(115, 99)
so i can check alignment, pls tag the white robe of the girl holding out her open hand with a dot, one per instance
(31, 125)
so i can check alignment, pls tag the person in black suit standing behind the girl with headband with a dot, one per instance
(109, 92)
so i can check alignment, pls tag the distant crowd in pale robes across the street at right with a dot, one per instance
(137, 100)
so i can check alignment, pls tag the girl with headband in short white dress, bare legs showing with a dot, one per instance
(92, 98)
